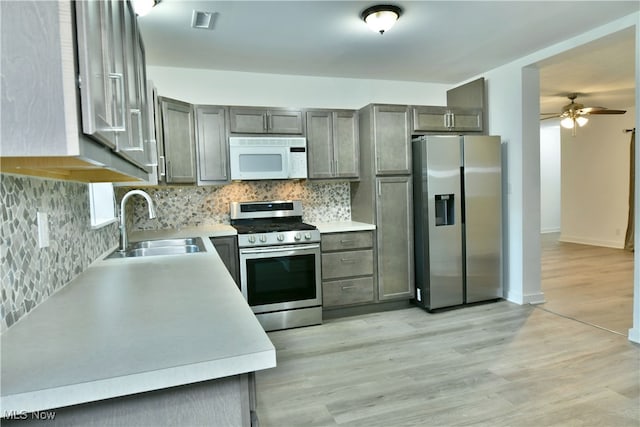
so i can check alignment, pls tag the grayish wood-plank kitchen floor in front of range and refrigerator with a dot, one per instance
(497, 364)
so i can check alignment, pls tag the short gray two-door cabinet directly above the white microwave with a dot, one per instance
(265, 120)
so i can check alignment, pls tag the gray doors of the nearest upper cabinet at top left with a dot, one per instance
(112, 78)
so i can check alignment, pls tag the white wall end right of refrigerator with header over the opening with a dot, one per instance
(511, 104)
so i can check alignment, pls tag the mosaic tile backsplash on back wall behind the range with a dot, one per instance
(188, 206)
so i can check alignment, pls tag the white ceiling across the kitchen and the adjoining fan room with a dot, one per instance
(434, 41)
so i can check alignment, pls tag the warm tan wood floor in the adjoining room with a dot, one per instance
(591, 284)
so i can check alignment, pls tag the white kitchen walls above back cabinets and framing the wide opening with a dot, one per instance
(513, 106)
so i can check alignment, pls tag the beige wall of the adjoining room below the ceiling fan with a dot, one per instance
(595, 181)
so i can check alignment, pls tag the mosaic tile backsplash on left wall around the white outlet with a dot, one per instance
(30, 274)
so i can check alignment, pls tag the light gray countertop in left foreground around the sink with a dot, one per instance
(131, 325)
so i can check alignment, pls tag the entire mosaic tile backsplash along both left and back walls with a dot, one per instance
(31, 274)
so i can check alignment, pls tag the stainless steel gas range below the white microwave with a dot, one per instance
(279, 263)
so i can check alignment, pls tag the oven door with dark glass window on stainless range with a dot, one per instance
(281, 277)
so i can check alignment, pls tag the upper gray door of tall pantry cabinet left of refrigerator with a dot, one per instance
(391, 133)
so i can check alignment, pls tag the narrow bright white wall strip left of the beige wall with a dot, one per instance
(550, 194)
